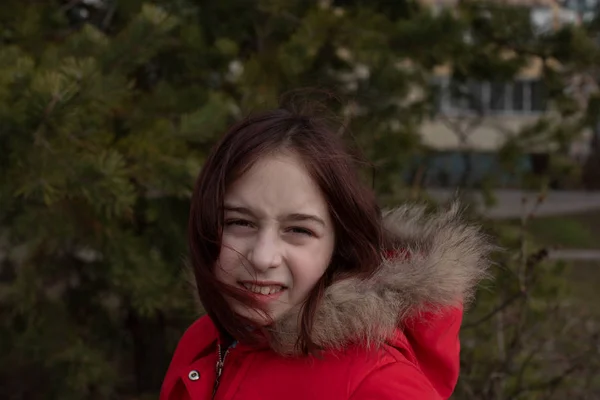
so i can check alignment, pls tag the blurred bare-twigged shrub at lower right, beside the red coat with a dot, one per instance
(529, 334)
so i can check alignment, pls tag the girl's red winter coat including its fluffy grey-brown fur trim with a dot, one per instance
(417, 356)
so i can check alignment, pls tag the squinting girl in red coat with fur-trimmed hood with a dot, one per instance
(310, 292)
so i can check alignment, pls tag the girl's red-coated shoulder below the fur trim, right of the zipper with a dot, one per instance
(392, 376)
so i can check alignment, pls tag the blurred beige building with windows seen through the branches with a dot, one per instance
(480, 117)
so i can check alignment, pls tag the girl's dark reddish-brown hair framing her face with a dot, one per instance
(352, 206)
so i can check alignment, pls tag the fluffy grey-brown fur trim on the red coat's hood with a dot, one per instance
(447, 260)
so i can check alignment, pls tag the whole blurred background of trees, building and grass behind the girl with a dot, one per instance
(109, 107)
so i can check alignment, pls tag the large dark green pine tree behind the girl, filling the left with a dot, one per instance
(107, 112)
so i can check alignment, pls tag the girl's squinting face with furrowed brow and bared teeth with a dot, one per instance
(278, 237)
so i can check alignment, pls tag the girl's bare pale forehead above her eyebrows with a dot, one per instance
(276, 184)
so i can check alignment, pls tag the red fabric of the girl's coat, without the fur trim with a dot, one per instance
(420, 365)
